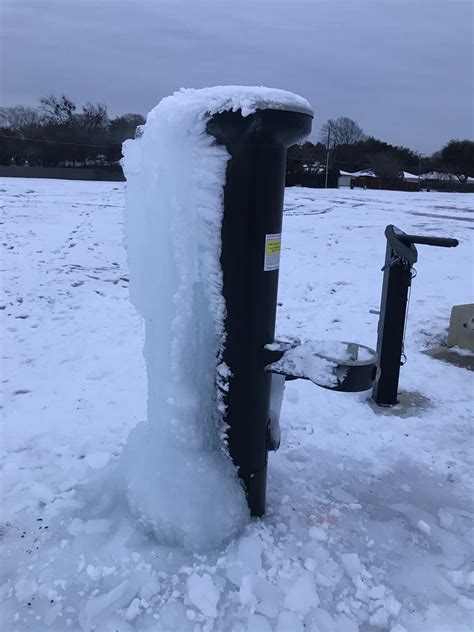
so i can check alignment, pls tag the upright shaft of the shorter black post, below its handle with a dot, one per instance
(396, 283)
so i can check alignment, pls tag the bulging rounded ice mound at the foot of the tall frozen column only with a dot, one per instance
(198, 506)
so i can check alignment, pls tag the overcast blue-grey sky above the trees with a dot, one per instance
(401, 68)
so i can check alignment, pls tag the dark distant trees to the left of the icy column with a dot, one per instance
(59, 133)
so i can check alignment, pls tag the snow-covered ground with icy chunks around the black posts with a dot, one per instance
(370, 511)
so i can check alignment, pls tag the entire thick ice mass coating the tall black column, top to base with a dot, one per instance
(180, 480)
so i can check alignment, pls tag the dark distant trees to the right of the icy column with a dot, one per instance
(344, 147)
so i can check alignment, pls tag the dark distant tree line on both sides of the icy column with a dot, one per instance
(60, 133)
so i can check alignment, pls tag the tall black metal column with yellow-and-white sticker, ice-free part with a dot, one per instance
(251, 229)
